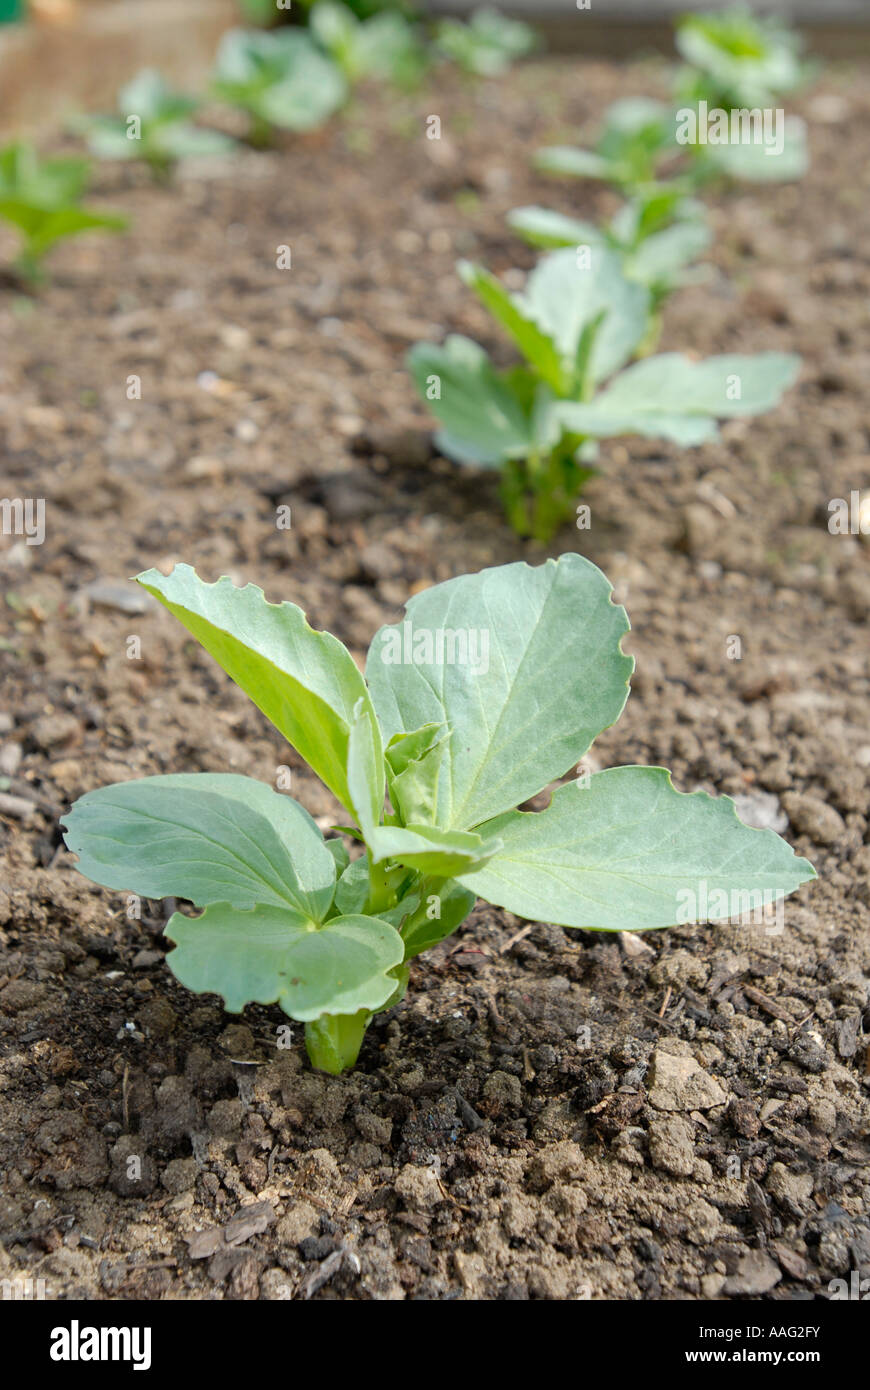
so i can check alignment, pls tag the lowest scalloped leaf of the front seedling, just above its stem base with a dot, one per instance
(266, 957)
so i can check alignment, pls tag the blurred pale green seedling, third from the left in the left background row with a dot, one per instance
(280, 79)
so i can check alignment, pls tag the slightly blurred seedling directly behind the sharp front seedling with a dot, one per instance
(577, 325)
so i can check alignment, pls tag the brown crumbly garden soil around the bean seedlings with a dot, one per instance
(548, 1114)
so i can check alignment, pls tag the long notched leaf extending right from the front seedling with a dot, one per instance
(629, 853)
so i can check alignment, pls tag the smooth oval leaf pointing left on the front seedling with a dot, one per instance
(208, 837)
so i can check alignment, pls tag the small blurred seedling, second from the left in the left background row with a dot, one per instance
(154, 124)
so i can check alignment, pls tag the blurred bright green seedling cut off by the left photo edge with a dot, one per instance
(42, 199)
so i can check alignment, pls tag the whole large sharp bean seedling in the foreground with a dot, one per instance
(457, 746)
